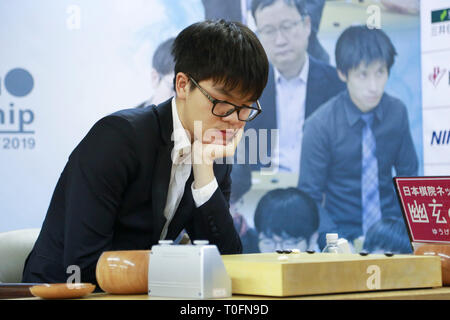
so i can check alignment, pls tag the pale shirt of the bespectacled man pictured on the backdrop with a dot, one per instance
(290, 100)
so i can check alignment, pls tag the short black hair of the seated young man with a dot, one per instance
(226, 52)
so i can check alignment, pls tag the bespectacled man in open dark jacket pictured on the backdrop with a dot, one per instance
(298, 83)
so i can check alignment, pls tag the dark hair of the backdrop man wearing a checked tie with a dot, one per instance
(359, 44)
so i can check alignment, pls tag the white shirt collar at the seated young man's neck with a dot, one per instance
(182, 144)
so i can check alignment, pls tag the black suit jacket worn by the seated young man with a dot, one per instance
(112, 193)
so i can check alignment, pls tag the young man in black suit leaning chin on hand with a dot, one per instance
(144, 174)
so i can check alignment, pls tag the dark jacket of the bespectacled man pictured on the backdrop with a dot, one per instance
(322, 84)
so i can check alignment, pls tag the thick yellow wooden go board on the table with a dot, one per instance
(272, 274)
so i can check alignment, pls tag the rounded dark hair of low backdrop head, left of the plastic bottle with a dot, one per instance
(290, 210)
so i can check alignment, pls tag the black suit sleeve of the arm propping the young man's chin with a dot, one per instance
(212, 221)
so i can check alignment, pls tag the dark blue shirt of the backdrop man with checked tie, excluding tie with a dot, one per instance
(332, 163)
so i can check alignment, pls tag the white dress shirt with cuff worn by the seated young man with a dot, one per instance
(180, 172)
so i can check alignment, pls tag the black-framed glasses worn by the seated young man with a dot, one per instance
(222, 108)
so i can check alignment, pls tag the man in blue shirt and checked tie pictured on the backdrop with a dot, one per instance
(354, 141)
